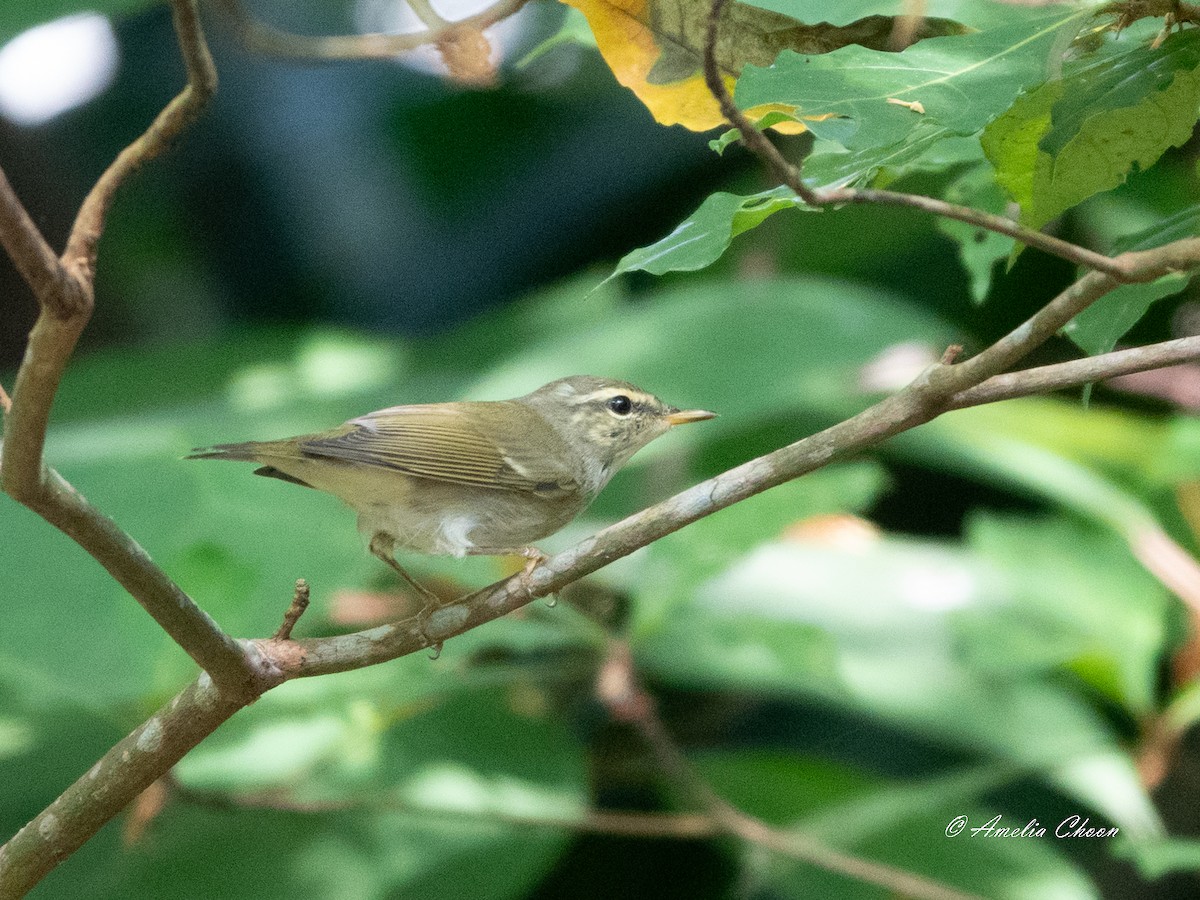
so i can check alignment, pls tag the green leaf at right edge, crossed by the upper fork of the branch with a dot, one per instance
(1106, 322)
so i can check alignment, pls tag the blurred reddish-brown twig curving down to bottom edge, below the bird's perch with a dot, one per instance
(628, 701)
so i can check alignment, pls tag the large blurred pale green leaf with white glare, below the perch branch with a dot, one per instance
(905, 633)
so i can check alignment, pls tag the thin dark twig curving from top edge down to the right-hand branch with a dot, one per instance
(789, 175)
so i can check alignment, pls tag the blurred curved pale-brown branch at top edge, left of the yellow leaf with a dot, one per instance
(261, 38)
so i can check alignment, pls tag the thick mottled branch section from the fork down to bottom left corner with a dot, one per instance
(118, 778)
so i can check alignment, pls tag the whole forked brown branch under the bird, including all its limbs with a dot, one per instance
(244, 671)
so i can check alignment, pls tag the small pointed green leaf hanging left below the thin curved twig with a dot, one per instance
(705, 236)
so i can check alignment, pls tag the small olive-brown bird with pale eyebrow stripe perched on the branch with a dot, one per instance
(483, 478)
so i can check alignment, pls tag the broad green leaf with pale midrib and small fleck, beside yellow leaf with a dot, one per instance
(962, 82)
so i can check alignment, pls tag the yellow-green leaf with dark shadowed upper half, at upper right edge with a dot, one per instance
(1084, 134)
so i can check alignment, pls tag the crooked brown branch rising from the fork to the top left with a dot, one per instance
(51, 344)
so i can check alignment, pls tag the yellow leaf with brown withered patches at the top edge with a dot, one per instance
(656, 49)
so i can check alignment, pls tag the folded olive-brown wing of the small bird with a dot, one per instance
(437, 441)
